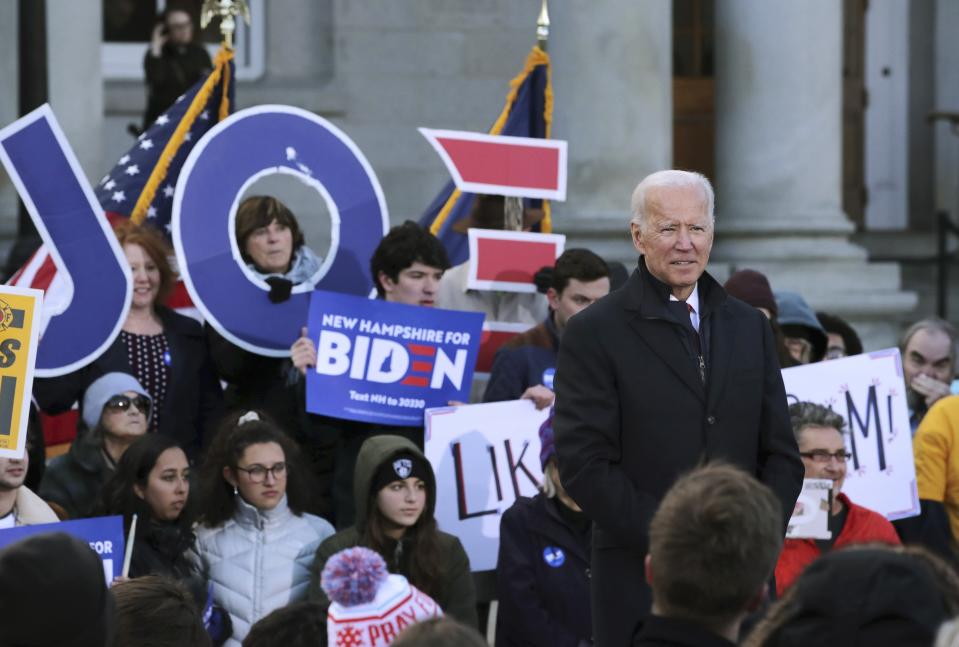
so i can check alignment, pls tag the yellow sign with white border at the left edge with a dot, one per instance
(19, 329)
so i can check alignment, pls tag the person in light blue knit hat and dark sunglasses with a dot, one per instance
(116, 409)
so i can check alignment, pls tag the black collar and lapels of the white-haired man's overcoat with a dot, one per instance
(646, 298)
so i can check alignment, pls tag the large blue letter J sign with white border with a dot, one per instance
(46, 174)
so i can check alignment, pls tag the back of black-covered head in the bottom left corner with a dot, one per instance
(52, 592)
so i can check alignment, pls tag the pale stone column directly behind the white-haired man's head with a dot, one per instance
(612, 78)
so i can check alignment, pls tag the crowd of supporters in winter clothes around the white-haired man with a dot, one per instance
(245, 502)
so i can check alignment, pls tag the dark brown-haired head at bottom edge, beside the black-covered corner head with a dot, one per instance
(154, 611)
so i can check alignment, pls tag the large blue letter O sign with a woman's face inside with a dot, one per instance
(236, 152)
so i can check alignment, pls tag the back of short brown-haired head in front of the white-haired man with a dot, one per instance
(713, 544)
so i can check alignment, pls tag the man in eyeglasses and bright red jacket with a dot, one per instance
(819, 434)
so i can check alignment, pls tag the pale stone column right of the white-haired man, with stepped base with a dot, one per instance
(779, 163)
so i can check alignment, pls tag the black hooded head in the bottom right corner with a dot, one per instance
(862, 596)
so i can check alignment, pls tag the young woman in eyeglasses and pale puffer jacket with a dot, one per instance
(255, 542)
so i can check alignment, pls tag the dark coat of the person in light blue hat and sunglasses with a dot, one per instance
(74, 480)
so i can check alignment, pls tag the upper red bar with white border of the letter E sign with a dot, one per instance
(523, 167)
